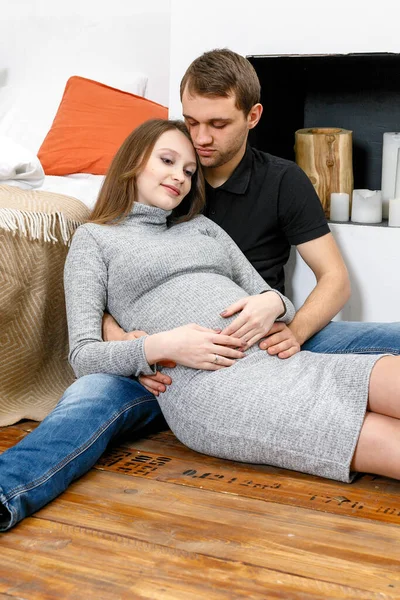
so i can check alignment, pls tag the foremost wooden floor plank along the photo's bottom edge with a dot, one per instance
(60, 561)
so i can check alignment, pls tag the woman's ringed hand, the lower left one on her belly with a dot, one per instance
(195, 347)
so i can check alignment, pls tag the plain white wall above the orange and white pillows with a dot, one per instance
(44, 41)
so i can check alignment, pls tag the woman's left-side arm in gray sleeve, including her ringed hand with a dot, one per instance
(85, 278)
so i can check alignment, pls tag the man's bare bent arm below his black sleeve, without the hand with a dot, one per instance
(332, 289)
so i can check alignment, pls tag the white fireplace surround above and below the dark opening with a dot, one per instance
(308, 27)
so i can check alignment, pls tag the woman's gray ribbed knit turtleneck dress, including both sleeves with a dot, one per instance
(303, 413)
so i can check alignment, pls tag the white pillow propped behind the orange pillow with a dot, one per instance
(27, 113)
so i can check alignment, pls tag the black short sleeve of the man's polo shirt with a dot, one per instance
(300, 212)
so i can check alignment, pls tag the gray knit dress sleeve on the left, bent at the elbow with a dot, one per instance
(85, 283)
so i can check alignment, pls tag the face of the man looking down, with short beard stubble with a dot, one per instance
(218, 129)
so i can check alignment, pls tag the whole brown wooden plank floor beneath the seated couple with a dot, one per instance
(156, 520)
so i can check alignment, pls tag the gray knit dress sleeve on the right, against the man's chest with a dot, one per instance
(243, 272)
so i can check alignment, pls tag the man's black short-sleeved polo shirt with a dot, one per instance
(267, 205)
